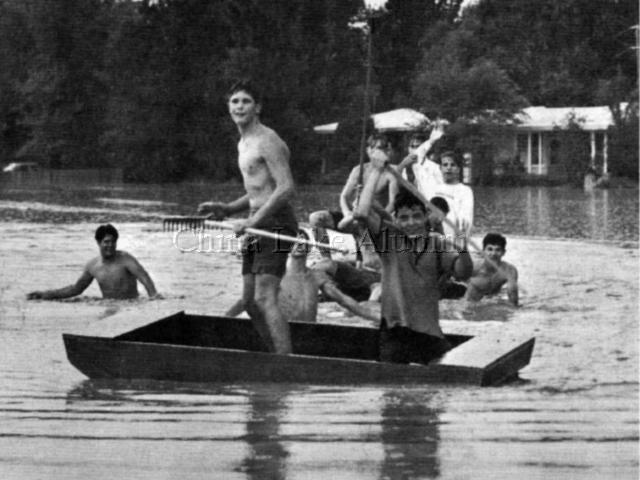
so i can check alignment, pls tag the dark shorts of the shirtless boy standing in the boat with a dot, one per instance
(262, 255)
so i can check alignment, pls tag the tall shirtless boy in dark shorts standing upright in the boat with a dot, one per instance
(263, 158)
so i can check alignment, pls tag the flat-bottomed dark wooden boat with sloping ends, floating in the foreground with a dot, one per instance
(196, 348)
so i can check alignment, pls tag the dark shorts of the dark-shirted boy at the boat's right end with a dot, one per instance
(403, 345)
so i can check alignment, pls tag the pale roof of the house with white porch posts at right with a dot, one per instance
(545, 118)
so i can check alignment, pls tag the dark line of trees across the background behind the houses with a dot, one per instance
(140, 85)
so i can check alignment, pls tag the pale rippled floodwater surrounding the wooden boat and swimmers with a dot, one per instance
(574, 415)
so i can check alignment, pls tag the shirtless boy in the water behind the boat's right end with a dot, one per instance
(487, 279)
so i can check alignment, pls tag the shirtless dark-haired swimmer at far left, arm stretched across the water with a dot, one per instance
(116, 271)
